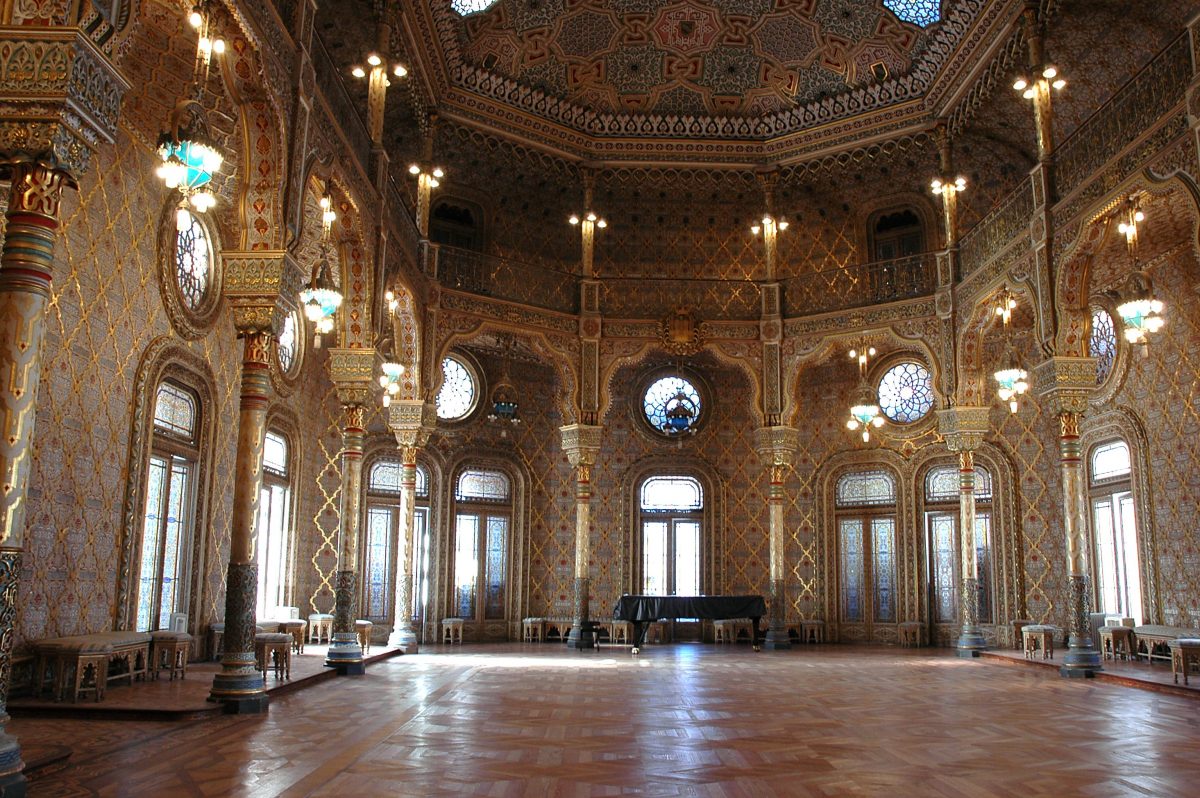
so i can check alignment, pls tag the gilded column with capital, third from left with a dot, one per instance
(351, 371)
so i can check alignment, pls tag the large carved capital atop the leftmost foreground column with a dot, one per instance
(62, 99)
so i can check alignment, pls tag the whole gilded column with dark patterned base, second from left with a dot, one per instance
(262, 289)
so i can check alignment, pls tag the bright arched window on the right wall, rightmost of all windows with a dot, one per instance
(1117, 563)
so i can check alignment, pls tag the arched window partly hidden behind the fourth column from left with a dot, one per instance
(385, 526)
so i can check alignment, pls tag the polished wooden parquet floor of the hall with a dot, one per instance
(679, 721)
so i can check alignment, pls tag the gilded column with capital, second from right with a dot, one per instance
(963, 429)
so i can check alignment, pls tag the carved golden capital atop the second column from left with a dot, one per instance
(262, 286)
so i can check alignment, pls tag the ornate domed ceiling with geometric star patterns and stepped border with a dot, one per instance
(703, 81)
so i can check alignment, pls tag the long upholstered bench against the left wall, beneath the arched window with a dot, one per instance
(94, 659)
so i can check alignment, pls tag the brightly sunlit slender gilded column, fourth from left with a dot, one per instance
(412, 422)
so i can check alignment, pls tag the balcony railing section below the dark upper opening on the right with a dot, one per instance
(857, 286)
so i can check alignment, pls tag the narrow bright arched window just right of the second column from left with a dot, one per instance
(274, 526)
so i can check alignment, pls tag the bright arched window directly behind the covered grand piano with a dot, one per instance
(673, 524)
